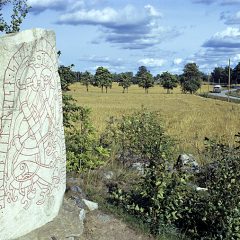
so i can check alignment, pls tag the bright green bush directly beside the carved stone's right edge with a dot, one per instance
(83, 148)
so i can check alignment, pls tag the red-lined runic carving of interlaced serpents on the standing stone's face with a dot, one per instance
(31, 134)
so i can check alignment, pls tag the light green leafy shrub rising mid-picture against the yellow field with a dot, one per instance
(137, 137)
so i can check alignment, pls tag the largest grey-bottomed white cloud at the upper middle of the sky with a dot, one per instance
(129, 27)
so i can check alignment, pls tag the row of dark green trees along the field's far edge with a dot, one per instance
(190, 80)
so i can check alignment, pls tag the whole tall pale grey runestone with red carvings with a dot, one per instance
(32, 148)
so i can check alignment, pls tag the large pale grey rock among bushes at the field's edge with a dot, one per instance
(186, 162)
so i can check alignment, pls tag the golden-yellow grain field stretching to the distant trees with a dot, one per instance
(188, 118)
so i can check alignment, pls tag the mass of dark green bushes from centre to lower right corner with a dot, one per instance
(166, 197)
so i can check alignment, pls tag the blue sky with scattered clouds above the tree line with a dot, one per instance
(121, 35)
